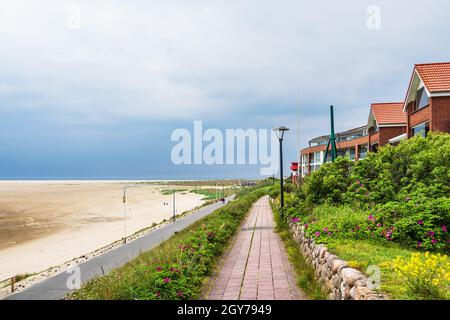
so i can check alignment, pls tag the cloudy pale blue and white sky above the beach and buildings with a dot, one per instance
(94, 89)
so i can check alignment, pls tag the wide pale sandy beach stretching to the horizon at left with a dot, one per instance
(47, 223)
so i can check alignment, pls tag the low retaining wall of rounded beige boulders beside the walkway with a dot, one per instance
(334, 275)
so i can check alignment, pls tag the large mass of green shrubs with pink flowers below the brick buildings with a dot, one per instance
(393, 190)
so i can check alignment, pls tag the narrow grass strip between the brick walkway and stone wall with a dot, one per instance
(306, 279)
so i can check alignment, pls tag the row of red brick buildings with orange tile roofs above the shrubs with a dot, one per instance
(425, 108)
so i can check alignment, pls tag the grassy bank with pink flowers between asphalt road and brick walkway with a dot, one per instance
(177, 268)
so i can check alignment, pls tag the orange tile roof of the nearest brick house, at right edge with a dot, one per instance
(435, 76)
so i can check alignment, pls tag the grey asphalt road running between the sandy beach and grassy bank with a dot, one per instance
(56, 287)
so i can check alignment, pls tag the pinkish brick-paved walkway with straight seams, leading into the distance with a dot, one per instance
(256, 267)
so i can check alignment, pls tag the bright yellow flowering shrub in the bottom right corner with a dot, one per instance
(427, 275)
